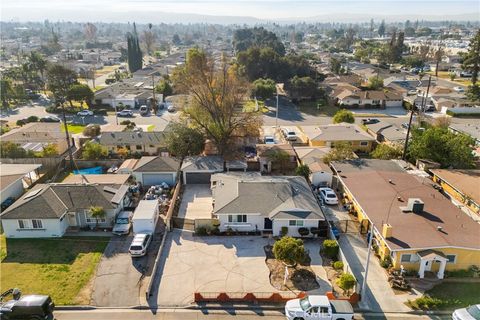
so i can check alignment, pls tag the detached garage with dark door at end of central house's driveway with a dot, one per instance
(199, 170)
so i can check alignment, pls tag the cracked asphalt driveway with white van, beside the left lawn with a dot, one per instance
(119, 280)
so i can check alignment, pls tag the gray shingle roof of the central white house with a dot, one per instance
(274, 197)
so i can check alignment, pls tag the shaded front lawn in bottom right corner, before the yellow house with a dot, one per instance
(449, 296)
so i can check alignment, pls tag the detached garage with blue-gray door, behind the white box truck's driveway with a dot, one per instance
(151, 171)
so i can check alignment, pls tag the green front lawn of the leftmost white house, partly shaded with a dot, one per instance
(57, 267)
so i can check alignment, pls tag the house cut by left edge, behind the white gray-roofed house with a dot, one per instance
(14, 178)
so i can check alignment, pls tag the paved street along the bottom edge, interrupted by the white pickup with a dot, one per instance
(183, 314)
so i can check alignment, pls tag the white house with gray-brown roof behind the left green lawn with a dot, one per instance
(48, 210)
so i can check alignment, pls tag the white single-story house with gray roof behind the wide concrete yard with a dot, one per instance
(251, 202)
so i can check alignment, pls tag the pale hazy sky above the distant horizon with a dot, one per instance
(125, 10)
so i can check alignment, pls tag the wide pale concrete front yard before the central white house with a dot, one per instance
(209, 264)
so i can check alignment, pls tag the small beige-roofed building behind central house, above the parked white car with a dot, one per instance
(320, 173)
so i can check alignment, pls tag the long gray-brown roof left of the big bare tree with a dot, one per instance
(130, 138)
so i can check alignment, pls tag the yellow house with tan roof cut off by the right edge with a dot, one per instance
(463, 185)
